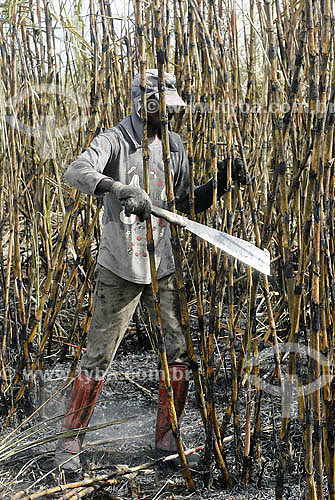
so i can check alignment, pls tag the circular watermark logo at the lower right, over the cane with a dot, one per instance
(291, 385)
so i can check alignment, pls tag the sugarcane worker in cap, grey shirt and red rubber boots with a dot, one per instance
(112, 168)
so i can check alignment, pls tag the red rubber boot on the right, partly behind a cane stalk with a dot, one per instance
(165, 442)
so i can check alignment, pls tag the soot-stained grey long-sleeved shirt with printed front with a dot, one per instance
(117, 153)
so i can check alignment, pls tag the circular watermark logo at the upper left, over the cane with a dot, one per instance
(49, 100)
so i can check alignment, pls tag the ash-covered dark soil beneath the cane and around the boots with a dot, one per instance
(130, 442)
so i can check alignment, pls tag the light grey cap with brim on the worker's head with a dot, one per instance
(172, 98)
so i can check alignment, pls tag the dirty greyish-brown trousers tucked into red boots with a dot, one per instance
(115, 301)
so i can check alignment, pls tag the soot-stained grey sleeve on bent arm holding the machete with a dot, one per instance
(86, 171)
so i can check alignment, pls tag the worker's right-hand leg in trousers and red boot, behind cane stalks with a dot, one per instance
(176, 349)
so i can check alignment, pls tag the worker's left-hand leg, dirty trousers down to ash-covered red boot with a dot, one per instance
(115, 301)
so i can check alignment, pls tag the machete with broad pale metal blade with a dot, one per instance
(240, 249)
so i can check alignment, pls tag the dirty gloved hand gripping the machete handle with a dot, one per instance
(134, 199)
